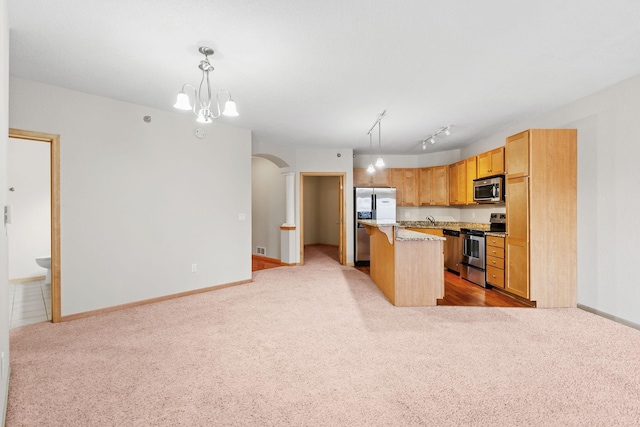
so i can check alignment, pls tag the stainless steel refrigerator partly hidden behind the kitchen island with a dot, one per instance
(377, 204)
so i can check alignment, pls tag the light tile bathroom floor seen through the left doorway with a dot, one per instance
(29, 302)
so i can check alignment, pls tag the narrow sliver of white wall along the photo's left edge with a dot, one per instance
(4, 264)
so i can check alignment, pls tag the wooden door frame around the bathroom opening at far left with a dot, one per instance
(54, 158)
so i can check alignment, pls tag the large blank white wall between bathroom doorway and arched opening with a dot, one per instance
(141, 202)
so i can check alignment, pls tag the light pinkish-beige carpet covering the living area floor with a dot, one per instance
(319, 345)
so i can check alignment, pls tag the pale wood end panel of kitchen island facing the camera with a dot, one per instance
(419, 273)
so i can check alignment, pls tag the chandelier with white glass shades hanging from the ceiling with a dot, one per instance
(202, 98)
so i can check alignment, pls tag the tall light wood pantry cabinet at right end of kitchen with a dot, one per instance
(541, 216)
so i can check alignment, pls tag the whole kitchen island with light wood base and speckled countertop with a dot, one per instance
(406, 265)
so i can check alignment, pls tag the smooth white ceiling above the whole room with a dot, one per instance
(318, 73)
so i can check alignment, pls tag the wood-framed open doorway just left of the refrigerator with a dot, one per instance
(323, 205)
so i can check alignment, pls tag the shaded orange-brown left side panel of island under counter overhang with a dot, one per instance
(382, 263)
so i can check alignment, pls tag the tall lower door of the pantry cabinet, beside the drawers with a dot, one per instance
(517, 242)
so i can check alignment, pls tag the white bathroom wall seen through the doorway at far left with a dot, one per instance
(30, 228)
